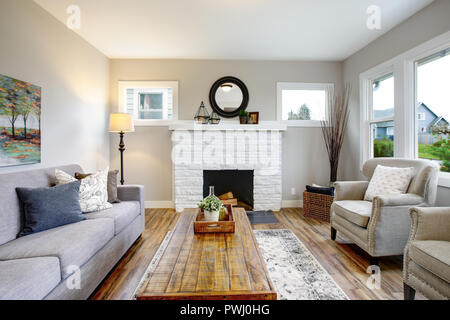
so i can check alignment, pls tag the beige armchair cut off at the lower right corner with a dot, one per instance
(427, 254)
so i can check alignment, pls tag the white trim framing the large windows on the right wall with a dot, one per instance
(405, 117)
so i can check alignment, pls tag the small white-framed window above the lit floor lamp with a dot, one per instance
(150, 102)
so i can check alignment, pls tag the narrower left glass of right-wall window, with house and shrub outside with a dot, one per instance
(382, 116)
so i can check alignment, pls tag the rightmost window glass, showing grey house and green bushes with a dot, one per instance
(433, 100)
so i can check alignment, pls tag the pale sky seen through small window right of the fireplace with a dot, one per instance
(292, 100)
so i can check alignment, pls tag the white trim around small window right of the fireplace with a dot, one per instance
(329, 87)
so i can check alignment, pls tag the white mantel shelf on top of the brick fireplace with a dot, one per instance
(228, 125)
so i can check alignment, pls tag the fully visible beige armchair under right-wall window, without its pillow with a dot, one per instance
(381, 227)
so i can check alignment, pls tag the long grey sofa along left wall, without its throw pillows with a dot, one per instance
(42, 265)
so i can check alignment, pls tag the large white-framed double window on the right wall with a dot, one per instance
(421, 82)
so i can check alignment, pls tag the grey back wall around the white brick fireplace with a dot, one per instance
(148, 158)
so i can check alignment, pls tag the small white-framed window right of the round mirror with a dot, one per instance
(303, 104)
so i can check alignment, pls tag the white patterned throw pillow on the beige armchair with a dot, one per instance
(388, 181)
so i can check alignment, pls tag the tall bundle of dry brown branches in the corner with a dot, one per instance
(334, 127)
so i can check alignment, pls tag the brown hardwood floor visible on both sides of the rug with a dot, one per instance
(345, 262)
